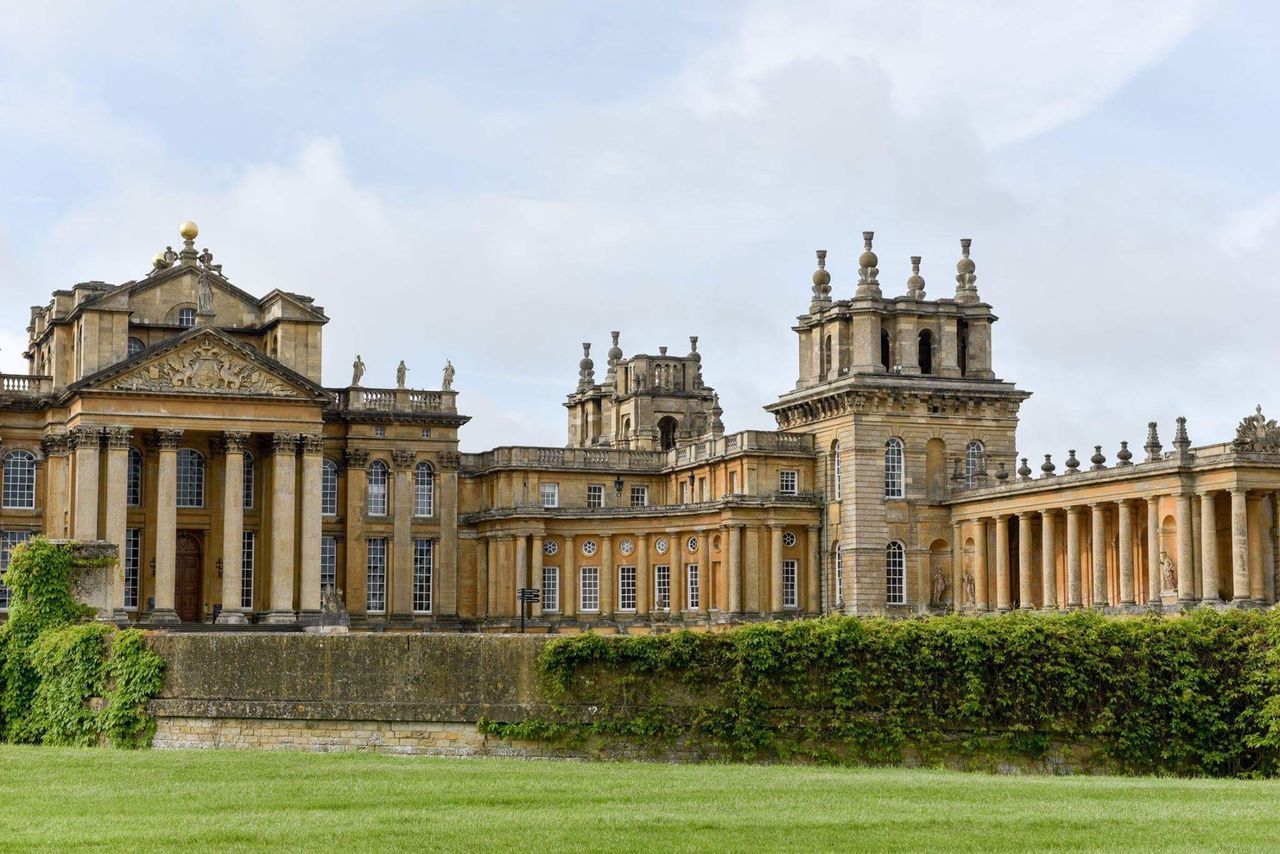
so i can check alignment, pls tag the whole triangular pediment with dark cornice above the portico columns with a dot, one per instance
(204, 362)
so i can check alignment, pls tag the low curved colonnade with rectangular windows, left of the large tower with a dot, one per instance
(729, 579)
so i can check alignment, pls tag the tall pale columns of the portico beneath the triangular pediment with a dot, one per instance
(291, 533)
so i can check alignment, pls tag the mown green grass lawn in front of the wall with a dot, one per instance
(152, 800)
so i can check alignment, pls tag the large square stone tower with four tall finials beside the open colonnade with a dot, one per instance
(906, 408)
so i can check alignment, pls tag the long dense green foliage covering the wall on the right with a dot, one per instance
(1197, 695)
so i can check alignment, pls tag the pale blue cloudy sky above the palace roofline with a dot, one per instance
(496, 184)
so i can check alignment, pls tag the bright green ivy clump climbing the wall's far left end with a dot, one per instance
(53, 664)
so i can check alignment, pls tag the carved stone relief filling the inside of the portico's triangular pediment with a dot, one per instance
(205, 367)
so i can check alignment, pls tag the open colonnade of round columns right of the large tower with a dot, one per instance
(1101, 554)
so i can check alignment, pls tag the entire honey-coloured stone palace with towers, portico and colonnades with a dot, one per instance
(185, 421)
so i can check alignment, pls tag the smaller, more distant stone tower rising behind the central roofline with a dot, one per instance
(646, 403)
